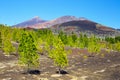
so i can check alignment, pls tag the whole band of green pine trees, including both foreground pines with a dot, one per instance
(33, 42)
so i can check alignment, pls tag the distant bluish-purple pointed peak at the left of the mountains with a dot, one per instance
(31, 22)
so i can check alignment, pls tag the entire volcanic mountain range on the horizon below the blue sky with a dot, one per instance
(69, 24)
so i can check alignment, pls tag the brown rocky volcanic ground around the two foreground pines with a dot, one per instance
(81, 67)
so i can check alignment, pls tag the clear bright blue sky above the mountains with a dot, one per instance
(106, 12)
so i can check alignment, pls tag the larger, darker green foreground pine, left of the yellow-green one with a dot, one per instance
(27, 51)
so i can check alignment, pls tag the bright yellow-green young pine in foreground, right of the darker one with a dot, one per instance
(59, 54)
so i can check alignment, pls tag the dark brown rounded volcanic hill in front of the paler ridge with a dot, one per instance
(86, 26)
